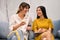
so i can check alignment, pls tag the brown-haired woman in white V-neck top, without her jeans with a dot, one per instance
(20, 21)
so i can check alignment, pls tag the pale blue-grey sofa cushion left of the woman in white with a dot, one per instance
(4, 30)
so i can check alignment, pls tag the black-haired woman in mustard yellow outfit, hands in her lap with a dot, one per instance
(42, 25)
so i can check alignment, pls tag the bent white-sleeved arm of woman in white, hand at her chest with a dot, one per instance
(13, 25)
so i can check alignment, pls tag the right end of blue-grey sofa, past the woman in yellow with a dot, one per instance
(56, 30)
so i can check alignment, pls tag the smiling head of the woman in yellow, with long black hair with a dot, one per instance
(41, 12)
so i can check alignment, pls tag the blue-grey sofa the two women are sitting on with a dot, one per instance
(4, 30)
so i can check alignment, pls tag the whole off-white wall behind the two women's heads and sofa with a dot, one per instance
(52, 7)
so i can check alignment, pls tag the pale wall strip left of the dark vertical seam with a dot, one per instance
(3, 13)
